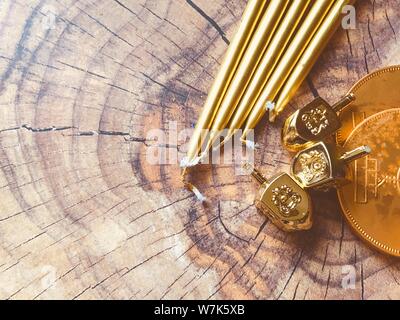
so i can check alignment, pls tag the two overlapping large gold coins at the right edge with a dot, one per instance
(371, 201)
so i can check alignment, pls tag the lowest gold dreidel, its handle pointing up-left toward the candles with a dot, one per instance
(283, 201)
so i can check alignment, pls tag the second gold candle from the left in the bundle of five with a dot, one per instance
(257, 46)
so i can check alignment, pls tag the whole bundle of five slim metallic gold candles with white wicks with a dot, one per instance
(275, 47)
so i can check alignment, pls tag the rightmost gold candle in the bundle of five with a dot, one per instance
(309, 57)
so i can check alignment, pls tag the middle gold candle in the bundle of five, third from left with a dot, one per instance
(269, 61)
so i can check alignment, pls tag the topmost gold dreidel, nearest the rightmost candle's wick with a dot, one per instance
(315, 122)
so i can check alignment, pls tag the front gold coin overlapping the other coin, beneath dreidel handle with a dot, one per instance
(371, 202)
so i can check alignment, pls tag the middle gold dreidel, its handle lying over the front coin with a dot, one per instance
(322, 165)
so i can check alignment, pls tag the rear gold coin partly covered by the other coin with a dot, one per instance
(374, 93)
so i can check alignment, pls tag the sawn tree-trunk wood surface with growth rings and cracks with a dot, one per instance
(82, 213)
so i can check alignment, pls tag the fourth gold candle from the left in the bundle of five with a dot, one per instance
(293, 53)
